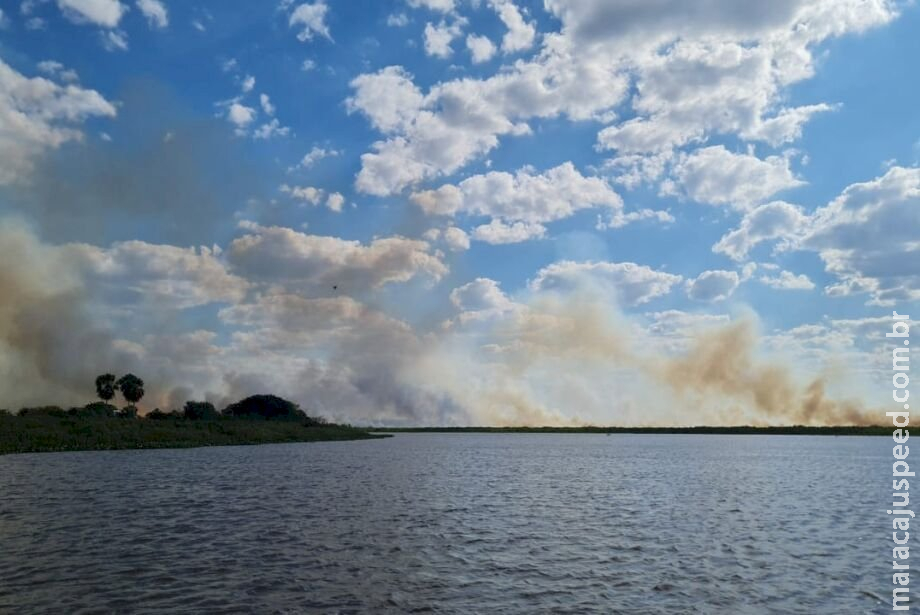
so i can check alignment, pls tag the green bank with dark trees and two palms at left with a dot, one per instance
(259, 419)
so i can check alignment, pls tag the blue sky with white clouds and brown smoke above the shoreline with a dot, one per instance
(462, 212)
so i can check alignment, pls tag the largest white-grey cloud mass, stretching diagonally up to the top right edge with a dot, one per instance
(714, 69)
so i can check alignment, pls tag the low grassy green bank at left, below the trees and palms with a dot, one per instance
(42, 433)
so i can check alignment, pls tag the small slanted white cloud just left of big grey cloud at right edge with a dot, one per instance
(765, 222)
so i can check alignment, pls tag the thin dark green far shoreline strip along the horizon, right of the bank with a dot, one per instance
(793, 430)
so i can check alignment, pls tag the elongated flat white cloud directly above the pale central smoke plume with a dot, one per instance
(632, 284)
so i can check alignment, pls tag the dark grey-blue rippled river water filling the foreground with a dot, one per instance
(476, 523)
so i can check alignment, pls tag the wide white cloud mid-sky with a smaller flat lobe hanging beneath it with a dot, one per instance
(521, 203)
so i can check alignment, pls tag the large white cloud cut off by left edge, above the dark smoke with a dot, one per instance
(37, 115)
